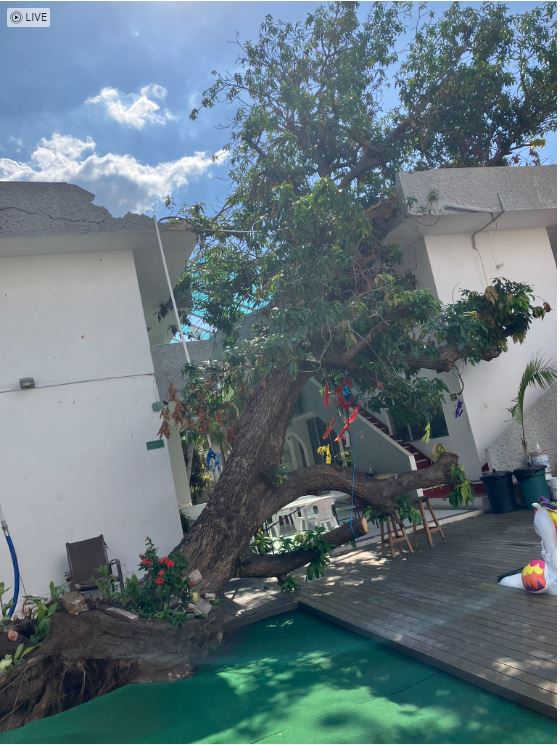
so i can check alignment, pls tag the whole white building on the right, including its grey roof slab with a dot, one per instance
(461, 229)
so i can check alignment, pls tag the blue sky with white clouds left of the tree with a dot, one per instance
(101, 98)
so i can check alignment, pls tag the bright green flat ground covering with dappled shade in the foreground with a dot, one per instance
(297, 679)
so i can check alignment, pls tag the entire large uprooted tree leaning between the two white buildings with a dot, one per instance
(301, 241)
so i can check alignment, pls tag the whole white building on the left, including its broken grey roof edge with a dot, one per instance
(79, 293)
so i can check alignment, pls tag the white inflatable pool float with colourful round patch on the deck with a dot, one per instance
(539, 575)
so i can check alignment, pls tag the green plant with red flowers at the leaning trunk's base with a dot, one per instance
(162, 593)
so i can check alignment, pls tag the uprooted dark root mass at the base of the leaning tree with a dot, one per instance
(91, 654)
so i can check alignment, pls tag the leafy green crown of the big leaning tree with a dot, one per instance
(324, 114)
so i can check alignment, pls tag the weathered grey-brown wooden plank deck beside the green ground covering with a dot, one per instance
(441, 605)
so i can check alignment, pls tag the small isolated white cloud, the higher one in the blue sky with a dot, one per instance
(134, 109)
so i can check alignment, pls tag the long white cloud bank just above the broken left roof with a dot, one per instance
(120, 182)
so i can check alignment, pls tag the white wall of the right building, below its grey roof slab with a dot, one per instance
(520, 255)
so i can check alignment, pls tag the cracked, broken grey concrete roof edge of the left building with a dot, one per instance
(39, 208)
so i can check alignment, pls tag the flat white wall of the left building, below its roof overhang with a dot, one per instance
(73, 450)
